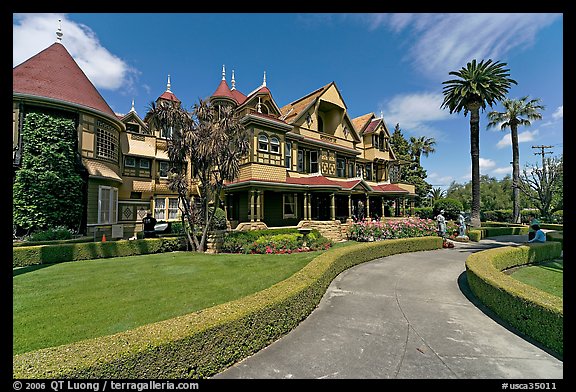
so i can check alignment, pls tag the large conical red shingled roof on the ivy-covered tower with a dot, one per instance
(53, 73)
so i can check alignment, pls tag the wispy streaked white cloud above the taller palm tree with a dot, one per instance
(471, 35)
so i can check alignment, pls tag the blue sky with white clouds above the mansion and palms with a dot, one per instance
(392, 64)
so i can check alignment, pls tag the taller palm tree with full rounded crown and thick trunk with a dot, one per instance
(479, 84)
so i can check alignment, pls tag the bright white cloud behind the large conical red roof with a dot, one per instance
(35, 32)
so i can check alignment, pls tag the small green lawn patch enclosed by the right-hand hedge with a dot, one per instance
(546, 276)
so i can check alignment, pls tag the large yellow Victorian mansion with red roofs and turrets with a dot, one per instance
(309, 163)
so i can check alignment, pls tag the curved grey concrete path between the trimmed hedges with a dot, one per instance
(407, 316)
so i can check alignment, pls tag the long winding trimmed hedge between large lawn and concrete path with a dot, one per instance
(201, 344)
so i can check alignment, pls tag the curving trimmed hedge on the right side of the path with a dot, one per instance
(532, 311)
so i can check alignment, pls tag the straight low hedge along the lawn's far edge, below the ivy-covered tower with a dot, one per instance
(48, 254)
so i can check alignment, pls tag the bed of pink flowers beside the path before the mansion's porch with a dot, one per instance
(378, 230)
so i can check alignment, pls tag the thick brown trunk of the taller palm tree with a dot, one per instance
(475, 155)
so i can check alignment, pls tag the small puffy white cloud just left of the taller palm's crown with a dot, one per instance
(414, 111)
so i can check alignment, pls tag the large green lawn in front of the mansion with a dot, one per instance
(67, 302)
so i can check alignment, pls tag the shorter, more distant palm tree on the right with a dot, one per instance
(516, 112)
